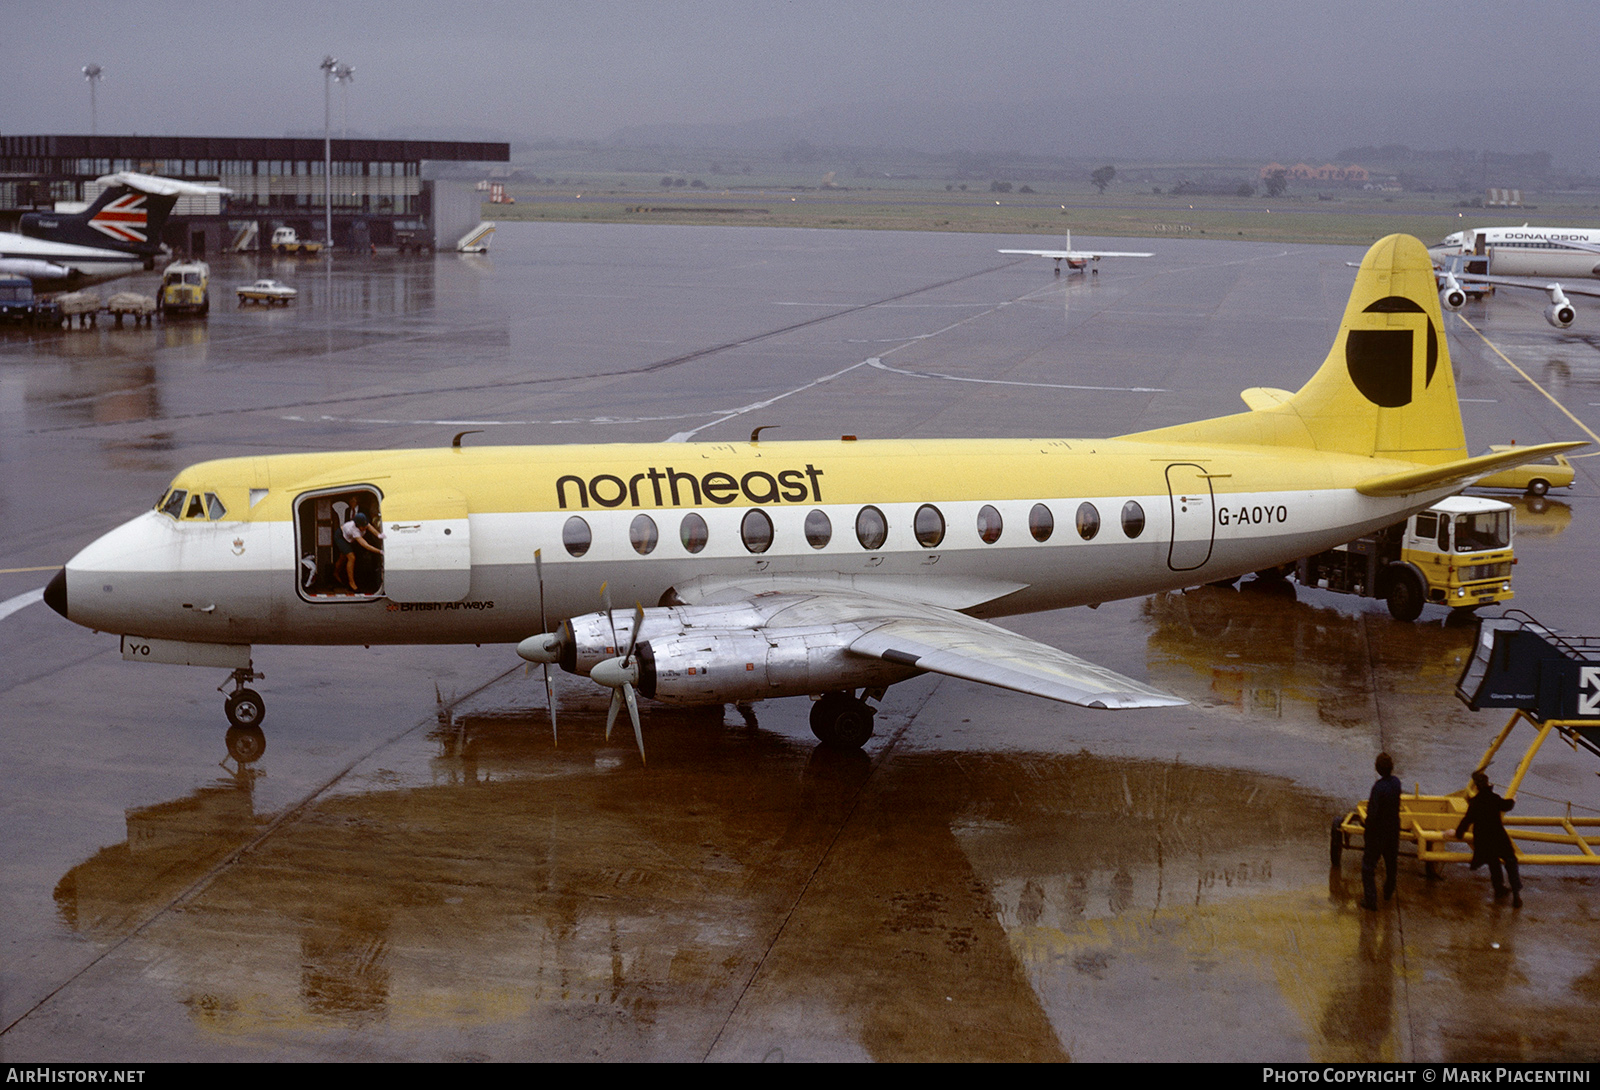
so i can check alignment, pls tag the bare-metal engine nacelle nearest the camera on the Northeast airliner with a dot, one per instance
(724, 667)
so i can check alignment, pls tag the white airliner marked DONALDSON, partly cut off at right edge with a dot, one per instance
(1497, 257)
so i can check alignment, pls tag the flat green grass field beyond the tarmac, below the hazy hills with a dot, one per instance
(1350, 217)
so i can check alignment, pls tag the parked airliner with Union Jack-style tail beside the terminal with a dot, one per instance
(119, 234)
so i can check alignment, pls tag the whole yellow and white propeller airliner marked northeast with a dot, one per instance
(825, 569)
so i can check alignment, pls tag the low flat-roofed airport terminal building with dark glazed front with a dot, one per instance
(382, 196)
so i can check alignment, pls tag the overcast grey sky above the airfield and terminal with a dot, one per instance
(1118, 78)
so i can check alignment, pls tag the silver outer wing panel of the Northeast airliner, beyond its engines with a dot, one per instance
(982, 652)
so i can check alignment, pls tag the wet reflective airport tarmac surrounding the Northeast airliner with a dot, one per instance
(414, 872)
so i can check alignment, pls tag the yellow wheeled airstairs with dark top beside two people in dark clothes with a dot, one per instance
(1553, 684)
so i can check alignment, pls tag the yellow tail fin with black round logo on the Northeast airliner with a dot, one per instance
(1386, 388)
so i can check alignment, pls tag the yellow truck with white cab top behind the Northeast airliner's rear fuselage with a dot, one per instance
(1457, 555)
